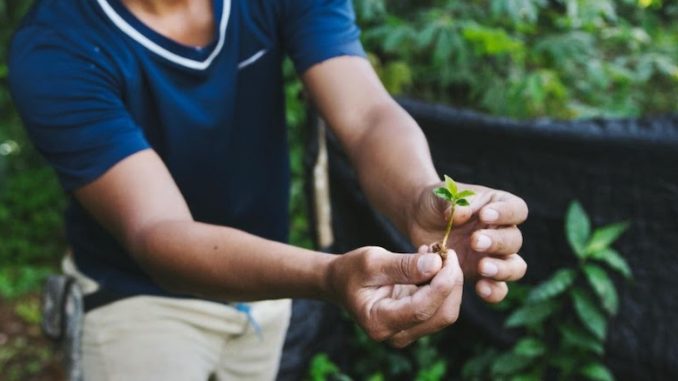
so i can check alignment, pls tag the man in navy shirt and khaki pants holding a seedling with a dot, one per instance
(165, 123)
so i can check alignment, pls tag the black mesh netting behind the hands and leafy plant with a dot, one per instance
(618, 169)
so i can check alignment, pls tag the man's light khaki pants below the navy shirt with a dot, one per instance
(146, 338)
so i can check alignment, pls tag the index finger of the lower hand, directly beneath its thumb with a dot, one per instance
(400, 314)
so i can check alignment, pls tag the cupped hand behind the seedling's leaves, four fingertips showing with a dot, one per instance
(485, 235)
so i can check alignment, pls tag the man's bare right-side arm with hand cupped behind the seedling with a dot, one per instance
(392, 161)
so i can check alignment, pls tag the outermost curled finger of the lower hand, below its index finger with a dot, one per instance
(446, 315)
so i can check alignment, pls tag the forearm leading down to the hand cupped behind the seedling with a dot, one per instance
(393, 162)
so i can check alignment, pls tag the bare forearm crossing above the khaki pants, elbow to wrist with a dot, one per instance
(222, 263)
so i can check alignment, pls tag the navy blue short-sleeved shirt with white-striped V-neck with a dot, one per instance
(94, 85)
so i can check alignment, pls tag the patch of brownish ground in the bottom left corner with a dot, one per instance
(25, 354)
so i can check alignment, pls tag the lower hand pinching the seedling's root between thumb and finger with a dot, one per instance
(398, 297)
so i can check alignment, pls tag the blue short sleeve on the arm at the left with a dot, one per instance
(69, 100)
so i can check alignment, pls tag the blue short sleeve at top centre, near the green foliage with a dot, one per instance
(317, 30)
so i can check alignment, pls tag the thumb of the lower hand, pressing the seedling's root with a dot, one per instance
(412, 268)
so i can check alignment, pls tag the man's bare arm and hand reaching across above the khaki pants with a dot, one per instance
(394, 297)
